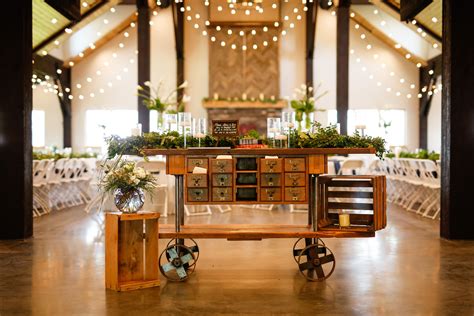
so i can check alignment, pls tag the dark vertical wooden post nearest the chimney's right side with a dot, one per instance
(311, 18)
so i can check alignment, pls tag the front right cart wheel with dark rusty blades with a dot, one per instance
(316, 262)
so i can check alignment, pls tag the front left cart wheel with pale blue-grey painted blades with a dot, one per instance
(177, 262)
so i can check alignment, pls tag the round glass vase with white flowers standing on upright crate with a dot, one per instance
(127, 183)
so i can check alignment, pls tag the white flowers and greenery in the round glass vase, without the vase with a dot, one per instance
(127, 177)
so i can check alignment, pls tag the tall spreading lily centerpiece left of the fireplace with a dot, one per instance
(161, 102)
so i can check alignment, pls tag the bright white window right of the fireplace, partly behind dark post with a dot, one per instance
(389, 124)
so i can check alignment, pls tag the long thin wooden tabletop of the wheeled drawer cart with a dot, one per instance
(259, 151)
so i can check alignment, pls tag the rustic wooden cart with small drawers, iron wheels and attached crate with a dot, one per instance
(270, 176)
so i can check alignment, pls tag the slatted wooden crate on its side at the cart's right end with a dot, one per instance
(363, 197)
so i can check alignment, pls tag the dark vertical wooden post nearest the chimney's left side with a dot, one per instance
(178, 22)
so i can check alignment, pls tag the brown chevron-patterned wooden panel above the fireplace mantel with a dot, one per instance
(236, 71)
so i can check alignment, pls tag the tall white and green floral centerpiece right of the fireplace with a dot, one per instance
(303, 104)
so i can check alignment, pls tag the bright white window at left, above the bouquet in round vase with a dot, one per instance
(103, 123)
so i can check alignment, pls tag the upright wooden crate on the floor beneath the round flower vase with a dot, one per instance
(131, 251)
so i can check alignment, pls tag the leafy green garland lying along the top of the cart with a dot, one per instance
(326, 137)
